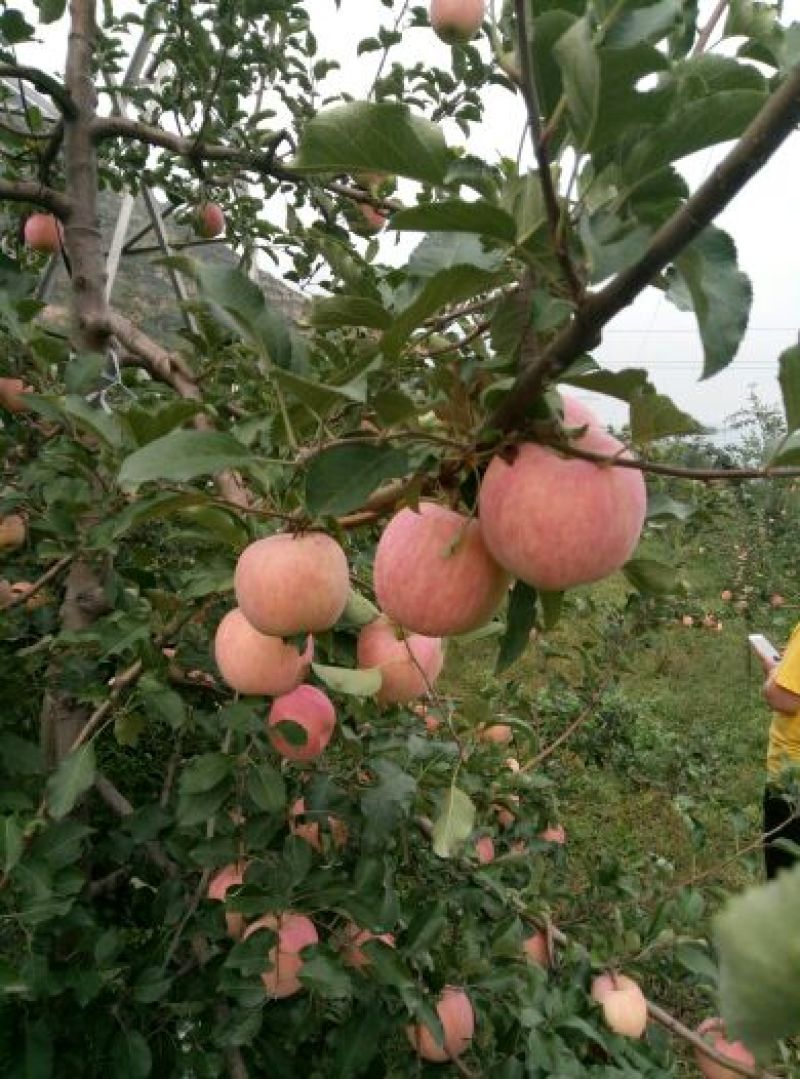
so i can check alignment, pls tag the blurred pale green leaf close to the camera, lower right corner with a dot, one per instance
(758, 940)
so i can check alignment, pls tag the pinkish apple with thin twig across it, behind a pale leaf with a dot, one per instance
(410, 664)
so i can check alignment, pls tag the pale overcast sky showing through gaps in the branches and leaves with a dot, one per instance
(764, 221)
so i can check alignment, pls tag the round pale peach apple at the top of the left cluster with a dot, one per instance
(288, 585)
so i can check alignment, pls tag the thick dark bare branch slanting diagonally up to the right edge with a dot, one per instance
(770, 129)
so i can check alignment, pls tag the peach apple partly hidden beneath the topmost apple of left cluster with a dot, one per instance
(253, 663)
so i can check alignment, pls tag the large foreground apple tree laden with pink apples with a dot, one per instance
(204, 873)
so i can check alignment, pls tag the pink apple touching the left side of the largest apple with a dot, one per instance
(433, 575)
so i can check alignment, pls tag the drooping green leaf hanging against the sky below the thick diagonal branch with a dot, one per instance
(709, 281)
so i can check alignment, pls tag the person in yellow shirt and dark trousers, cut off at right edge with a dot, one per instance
(782, 693)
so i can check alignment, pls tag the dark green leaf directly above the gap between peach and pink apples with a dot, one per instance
(343, 479)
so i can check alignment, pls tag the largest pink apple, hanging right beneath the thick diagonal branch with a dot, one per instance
(557, 522)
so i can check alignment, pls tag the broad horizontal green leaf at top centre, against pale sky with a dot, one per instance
(385, 138)
